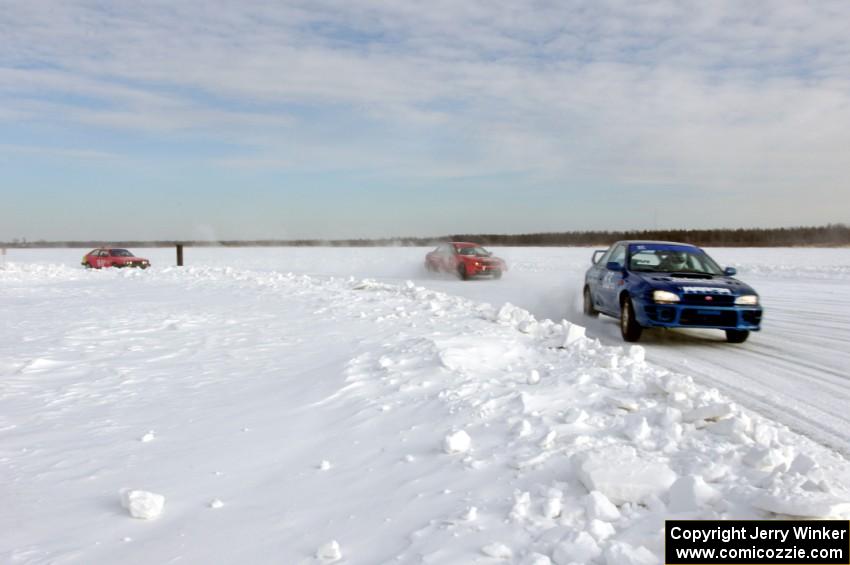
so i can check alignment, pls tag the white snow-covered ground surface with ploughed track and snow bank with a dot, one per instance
(342, 405)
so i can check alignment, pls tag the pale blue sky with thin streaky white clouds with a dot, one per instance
(209, 119)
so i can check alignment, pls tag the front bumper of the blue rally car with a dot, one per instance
(691, 316)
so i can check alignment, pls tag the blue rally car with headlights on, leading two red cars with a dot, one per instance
(668, 285)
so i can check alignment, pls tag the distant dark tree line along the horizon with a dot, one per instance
(831, 235)
